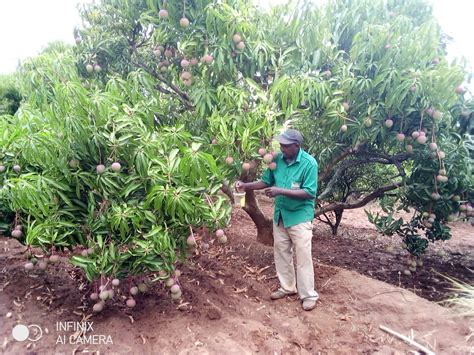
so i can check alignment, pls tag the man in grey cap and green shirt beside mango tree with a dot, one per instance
(293, 184)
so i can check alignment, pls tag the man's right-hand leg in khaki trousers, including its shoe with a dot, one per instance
(301, 236)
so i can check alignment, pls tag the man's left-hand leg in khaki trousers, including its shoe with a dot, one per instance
(283, 255)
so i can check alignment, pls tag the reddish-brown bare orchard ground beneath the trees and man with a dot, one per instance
(226, 305)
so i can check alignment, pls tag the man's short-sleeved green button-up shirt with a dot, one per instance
(302, 173)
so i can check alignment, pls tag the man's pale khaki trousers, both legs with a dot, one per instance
(286, 240)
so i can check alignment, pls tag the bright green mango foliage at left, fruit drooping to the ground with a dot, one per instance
(86, 169)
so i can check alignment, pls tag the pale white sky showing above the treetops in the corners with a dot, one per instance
(27, 26)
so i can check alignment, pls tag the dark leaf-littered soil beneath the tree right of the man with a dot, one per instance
(360, 247)
